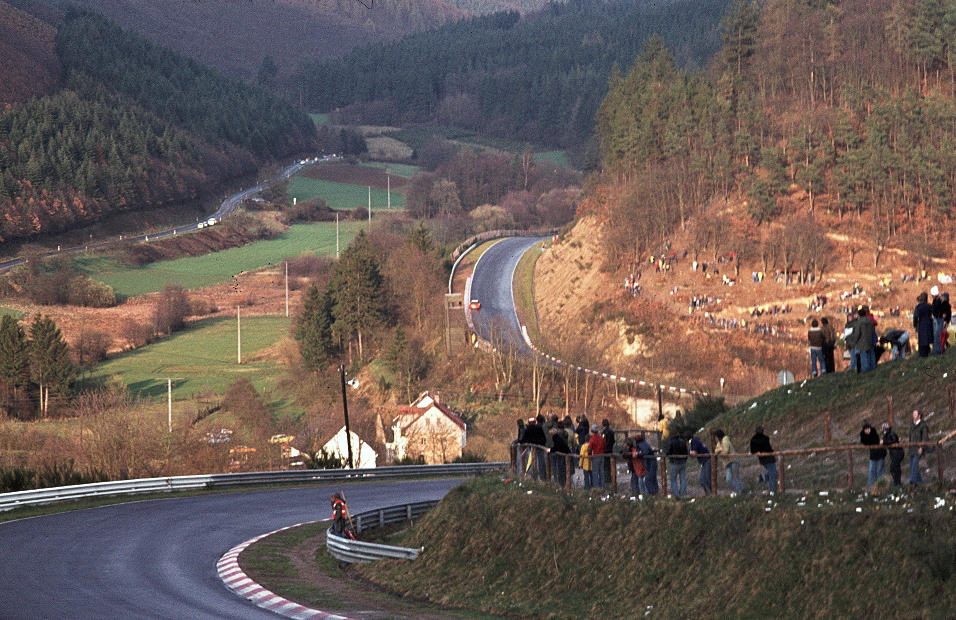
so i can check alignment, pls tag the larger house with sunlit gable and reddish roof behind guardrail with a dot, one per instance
(429, 429)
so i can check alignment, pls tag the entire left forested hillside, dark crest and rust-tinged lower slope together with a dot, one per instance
(135, 126)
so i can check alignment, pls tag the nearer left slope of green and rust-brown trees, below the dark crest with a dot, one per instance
(76, 156)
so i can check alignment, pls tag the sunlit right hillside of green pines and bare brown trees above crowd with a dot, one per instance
(819, 116)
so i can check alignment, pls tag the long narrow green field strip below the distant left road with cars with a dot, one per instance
(199, 271)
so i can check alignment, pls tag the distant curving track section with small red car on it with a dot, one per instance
(496, 321)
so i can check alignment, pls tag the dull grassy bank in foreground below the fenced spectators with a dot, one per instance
(579, 556)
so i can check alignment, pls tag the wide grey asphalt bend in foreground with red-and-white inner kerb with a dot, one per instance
(157, 558)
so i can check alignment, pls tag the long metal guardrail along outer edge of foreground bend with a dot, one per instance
(17, 499)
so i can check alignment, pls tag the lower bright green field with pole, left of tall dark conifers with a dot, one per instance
(202, 358)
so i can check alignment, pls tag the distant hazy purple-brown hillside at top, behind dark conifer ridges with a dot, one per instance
(236, 36)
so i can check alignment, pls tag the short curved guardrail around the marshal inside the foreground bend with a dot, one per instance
(355, 551)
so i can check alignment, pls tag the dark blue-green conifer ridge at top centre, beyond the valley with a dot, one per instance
(538, 78)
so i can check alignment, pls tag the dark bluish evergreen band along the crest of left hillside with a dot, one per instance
(180, 90)
